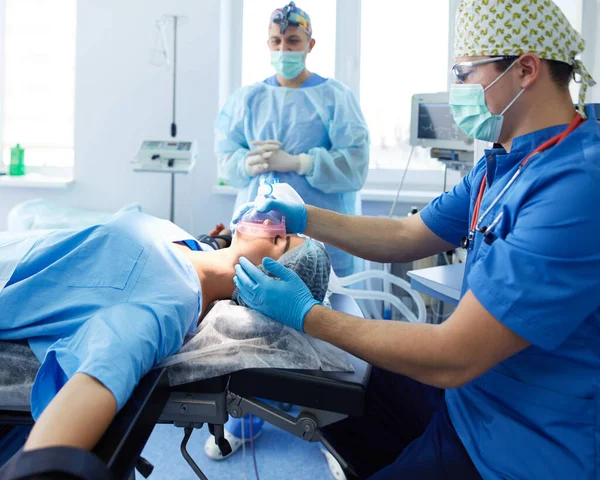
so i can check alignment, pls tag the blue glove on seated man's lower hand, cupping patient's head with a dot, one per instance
(286, 300)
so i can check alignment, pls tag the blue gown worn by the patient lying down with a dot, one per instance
(111, 301)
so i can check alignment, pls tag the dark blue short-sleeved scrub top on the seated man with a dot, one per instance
(537, 414)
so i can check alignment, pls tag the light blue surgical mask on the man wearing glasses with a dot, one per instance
(472, 114)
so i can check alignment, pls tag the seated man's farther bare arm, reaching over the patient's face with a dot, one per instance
(377, 239)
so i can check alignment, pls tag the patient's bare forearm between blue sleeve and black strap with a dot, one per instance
(76, 417)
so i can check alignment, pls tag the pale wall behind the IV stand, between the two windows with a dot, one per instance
(122, 99)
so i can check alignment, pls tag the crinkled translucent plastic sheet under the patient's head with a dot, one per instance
(232, 338)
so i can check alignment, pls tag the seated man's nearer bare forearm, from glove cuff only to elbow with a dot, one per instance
(416, 350)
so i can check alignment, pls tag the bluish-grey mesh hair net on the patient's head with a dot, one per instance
(312, 264)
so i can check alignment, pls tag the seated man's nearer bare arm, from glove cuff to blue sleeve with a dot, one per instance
(468, 344)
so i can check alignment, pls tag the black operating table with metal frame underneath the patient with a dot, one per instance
(324, 398)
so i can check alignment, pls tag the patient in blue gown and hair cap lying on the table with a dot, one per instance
(102, 306)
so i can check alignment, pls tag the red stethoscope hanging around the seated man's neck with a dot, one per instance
(468, 241)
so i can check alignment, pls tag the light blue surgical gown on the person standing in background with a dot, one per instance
(322, 119)
